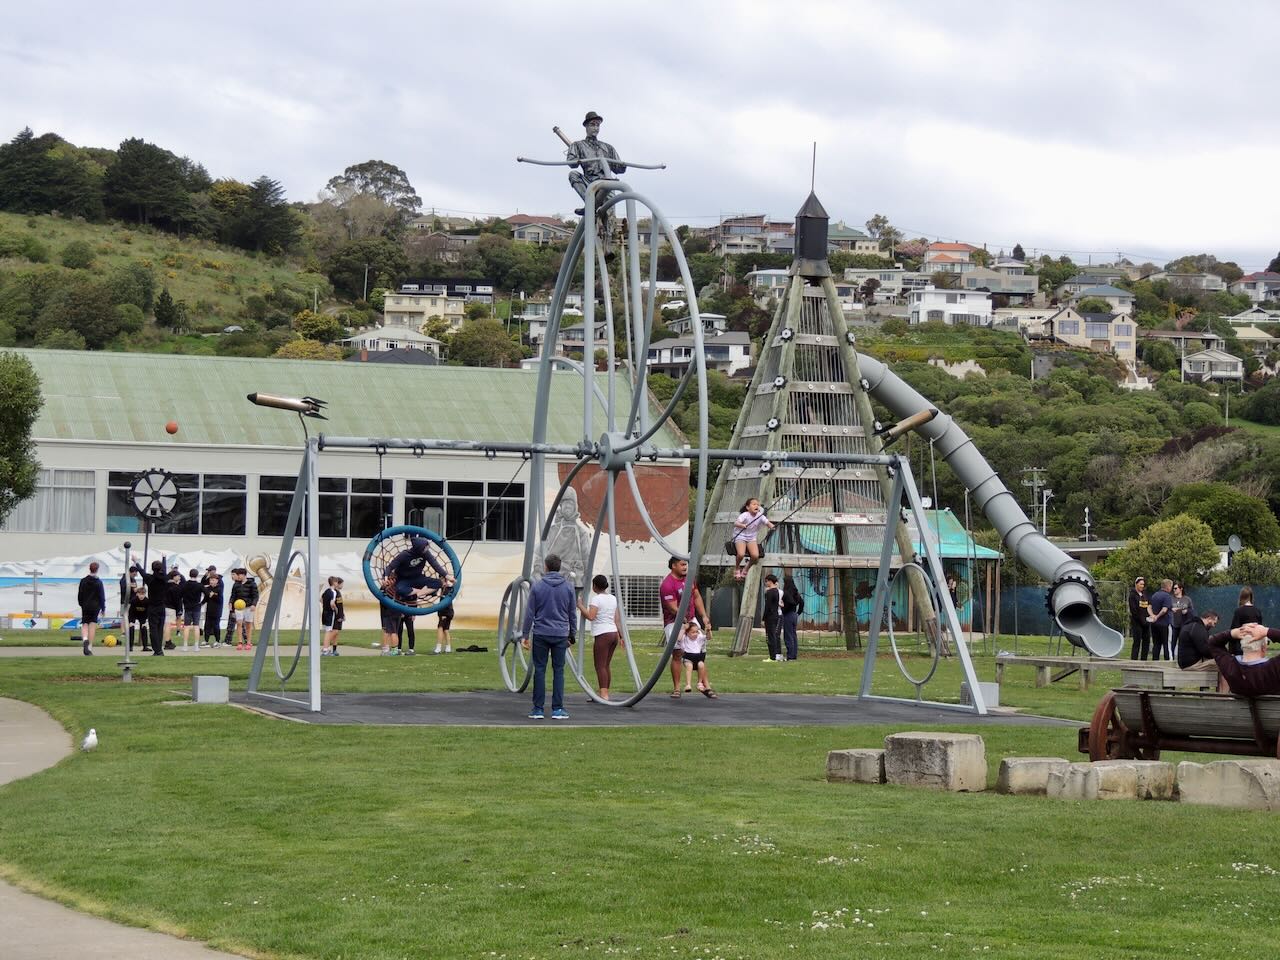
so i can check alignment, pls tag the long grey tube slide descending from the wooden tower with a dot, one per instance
(1072, 598)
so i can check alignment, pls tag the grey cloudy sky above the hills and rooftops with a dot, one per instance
(1140, 127)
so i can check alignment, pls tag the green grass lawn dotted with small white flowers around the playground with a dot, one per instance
(286, 840)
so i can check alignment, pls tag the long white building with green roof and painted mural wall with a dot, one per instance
(104, 422)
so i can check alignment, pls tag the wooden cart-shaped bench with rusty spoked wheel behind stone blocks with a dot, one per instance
(1135, 724)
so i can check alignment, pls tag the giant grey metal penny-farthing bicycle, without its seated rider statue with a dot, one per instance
(618, 422)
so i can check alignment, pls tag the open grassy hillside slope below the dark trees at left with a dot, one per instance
(220, 286)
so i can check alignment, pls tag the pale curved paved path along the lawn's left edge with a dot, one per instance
(42, 930)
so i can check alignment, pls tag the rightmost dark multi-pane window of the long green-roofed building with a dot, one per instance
(468, 510)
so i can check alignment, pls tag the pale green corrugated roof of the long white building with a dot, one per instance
(130, 397)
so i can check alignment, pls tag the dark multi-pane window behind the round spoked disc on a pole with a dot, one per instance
(211, 505)
